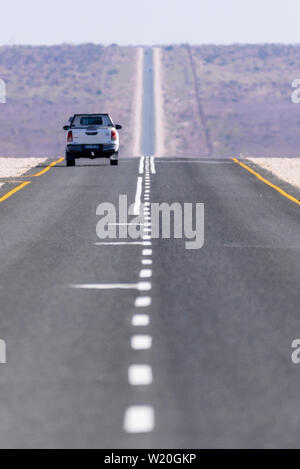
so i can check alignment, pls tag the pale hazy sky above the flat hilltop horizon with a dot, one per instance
(149, 21)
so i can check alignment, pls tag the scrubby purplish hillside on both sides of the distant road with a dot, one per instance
(218, 100)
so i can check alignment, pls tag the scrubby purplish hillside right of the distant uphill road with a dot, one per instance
(232, 100)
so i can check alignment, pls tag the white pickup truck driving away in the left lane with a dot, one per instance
(92, 136)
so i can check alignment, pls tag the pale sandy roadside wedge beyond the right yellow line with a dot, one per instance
(287, 169)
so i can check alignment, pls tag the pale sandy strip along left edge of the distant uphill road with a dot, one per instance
(138, 103)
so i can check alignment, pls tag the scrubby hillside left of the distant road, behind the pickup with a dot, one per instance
(45, 85)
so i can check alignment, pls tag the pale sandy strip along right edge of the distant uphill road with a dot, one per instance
(159, 108)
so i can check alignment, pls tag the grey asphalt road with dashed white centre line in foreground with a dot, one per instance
(219, 321)
